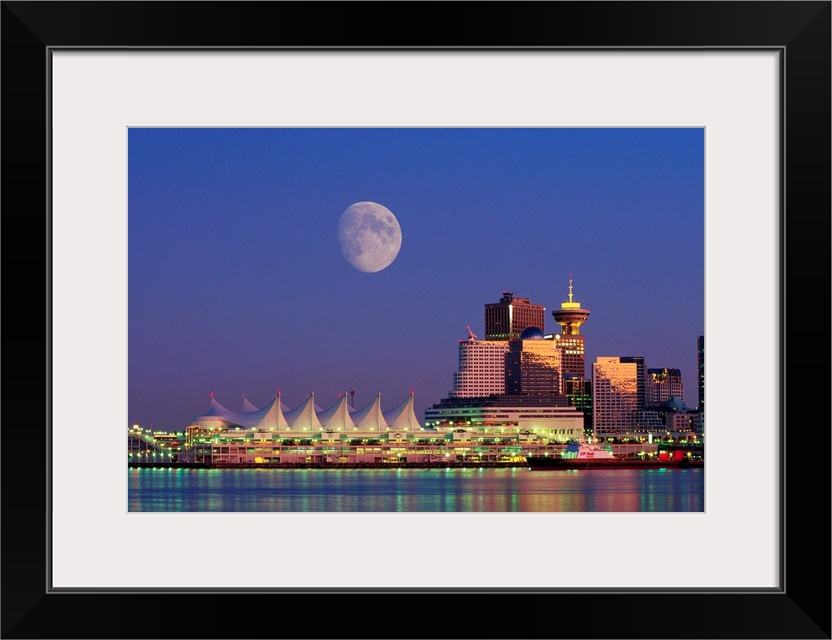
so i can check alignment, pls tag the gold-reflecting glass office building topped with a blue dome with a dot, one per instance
(533, 365)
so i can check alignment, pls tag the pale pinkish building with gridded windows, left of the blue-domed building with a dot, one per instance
(482, 368)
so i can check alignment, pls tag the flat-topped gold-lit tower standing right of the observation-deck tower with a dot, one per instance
(616, 383)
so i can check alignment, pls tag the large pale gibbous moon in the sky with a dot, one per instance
(369, 236)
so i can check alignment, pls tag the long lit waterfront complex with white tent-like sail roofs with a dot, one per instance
(499, 429)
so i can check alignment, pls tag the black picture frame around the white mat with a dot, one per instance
(800, 31)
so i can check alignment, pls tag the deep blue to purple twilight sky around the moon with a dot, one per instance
(237, 284)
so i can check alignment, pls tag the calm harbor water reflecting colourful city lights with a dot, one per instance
(416, 490)
